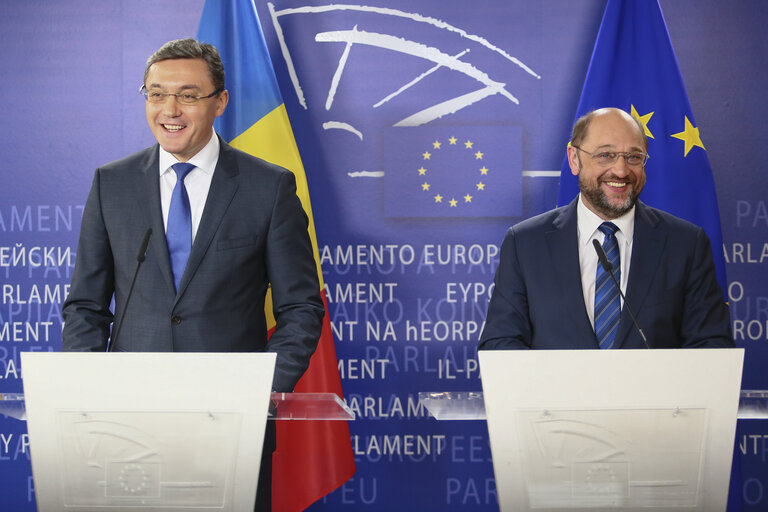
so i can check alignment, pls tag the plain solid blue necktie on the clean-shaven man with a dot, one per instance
(178, 232)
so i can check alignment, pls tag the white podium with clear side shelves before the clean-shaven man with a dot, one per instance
(152, 431)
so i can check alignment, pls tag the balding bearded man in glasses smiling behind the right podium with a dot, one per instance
(551, 293)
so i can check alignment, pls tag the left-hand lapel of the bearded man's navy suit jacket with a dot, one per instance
(563, 244)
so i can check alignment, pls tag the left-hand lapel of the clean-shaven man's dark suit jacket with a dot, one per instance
(150, 188)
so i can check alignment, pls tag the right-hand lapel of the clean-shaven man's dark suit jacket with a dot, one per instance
(223, 187)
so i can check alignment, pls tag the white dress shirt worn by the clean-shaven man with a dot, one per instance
(197, 182)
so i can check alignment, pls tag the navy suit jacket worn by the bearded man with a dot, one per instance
(538, 301)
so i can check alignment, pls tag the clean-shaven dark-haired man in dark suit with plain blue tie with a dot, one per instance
(243, 230)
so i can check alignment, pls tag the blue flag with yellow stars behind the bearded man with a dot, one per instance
(634, 68)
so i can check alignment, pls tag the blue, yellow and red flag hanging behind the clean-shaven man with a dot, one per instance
(313, 457)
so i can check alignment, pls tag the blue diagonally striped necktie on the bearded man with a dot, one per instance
(607, 301)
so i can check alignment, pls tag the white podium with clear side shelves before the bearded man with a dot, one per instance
(633, 430)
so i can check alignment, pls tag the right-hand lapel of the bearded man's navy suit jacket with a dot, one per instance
(647, 248)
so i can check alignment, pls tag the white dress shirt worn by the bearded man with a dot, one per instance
(588, 223)
